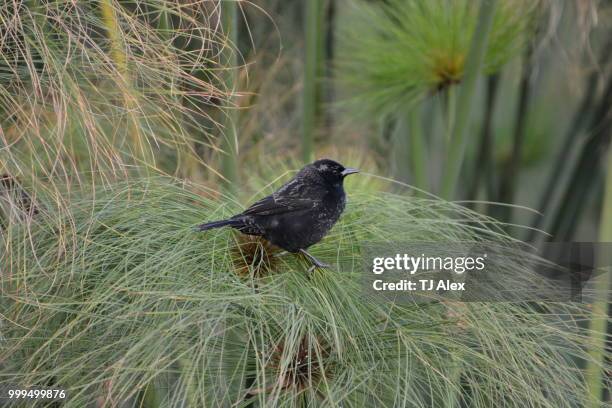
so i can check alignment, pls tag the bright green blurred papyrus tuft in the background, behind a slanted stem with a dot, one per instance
(395, 52)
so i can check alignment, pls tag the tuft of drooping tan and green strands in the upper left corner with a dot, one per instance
(97, 86)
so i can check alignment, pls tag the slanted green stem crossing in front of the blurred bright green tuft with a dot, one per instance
(466, 94)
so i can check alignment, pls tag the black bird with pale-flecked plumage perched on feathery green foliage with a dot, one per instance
(298, 214)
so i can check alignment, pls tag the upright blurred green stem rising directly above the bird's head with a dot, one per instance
(310, 93)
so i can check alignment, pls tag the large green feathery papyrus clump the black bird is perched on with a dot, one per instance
(118, 299)
